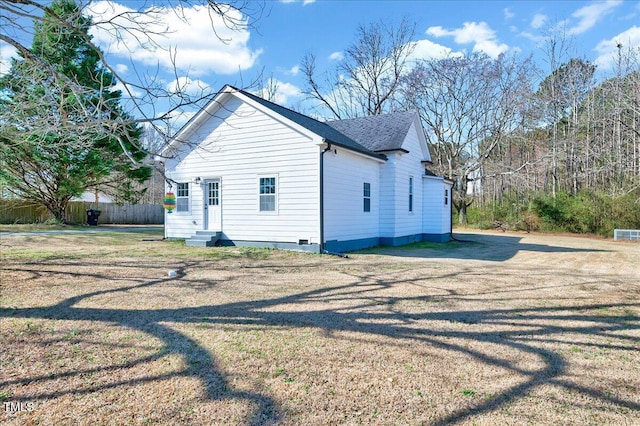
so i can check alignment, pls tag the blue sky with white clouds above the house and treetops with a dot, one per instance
(276, 43)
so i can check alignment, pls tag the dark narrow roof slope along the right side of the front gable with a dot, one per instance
(324, 130)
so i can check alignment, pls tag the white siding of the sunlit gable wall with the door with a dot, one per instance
(239, 144)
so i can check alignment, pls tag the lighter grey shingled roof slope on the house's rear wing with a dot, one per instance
(378, 133)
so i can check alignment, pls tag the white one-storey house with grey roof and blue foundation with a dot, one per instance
(246, 171)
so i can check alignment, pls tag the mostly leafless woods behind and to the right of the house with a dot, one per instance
(531, 147)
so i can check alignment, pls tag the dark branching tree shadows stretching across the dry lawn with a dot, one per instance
(529, 326)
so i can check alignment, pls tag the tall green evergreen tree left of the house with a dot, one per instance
(62, 128)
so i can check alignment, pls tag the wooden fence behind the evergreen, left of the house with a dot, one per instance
(18, 211)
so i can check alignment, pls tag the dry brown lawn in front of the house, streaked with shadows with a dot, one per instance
(503, 329)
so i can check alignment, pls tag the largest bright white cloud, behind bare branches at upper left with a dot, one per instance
(182, 35)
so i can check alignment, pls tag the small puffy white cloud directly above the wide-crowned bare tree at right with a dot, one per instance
(480, 35)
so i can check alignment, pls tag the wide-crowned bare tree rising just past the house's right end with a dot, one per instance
(469, 105)
